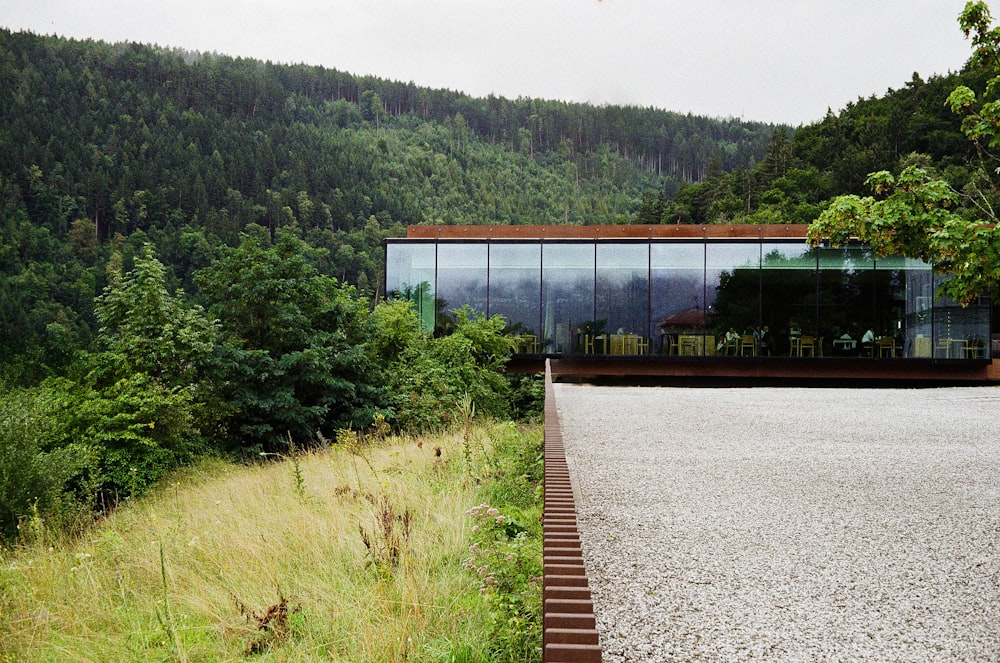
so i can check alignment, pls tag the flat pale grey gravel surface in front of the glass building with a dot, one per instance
(789, 524)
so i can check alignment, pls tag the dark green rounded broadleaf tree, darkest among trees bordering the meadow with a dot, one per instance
(293, 361)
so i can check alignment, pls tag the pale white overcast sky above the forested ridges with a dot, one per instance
(769, 60)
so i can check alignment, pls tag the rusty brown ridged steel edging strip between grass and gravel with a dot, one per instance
(569, 631)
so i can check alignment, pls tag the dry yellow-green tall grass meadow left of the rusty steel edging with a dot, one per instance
(223, 562)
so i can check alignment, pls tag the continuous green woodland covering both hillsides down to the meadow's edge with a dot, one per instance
(191, 244)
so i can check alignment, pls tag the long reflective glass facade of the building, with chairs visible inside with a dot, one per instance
(698, 297)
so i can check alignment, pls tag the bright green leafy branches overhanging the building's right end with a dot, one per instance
(919, 214)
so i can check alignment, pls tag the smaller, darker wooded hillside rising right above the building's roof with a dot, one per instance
(801, 173)
